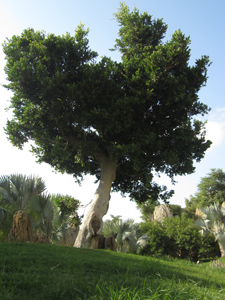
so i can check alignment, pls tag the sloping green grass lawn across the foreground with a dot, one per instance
(33, 271)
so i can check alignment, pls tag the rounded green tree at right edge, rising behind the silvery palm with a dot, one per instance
(211, 190)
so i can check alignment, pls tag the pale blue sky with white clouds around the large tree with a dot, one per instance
(202, 20)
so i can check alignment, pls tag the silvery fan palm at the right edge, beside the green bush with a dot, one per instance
(214, 222)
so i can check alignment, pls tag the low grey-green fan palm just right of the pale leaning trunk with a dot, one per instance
(127, 234)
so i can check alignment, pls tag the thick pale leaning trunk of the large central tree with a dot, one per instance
(93, 223)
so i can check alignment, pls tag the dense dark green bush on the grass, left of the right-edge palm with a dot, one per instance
(179, 237)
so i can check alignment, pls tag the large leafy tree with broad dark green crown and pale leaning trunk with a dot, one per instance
(121, 121)
